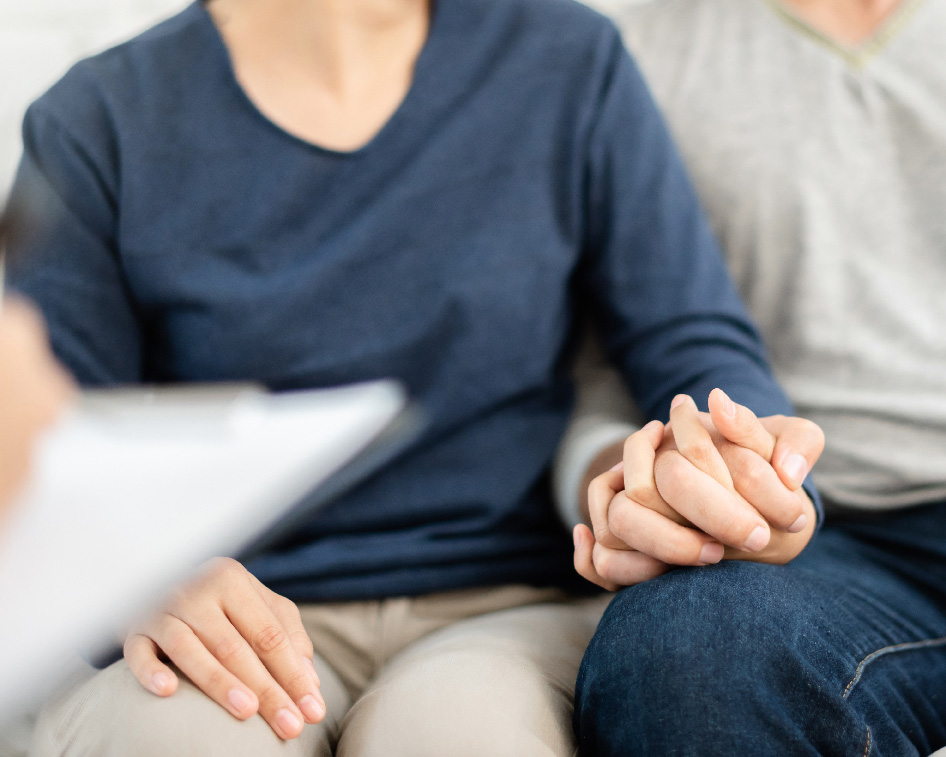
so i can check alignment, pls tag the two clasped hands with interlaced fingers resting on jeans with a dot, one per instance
(705, 487)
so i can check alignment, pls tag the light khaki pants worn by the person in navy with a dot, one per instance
(477, 672)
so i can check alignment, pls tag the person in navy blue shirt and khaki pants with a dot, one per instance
(307, 193)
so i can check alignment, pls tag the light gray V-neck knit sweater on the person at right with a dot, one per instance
(823, 169)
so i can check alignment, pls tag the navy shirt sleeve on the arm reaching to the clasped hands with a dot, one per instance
(667, 312)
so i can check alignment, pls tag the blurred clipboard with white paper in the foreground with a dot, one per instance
(134, 489)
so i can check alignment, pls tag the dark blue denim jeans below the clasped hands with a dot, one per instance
(841, 652)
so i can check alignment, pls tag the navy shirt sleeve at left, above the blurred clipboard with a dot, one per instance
(64, 256)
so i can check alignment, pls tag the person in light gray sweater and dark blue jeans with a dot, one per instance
(815, 132)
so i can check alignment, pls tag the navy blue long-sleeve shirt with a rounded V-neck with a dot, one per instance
(526, 178)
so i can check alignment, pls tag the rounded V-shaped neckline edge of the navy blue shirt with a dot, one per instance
(422, 69)
